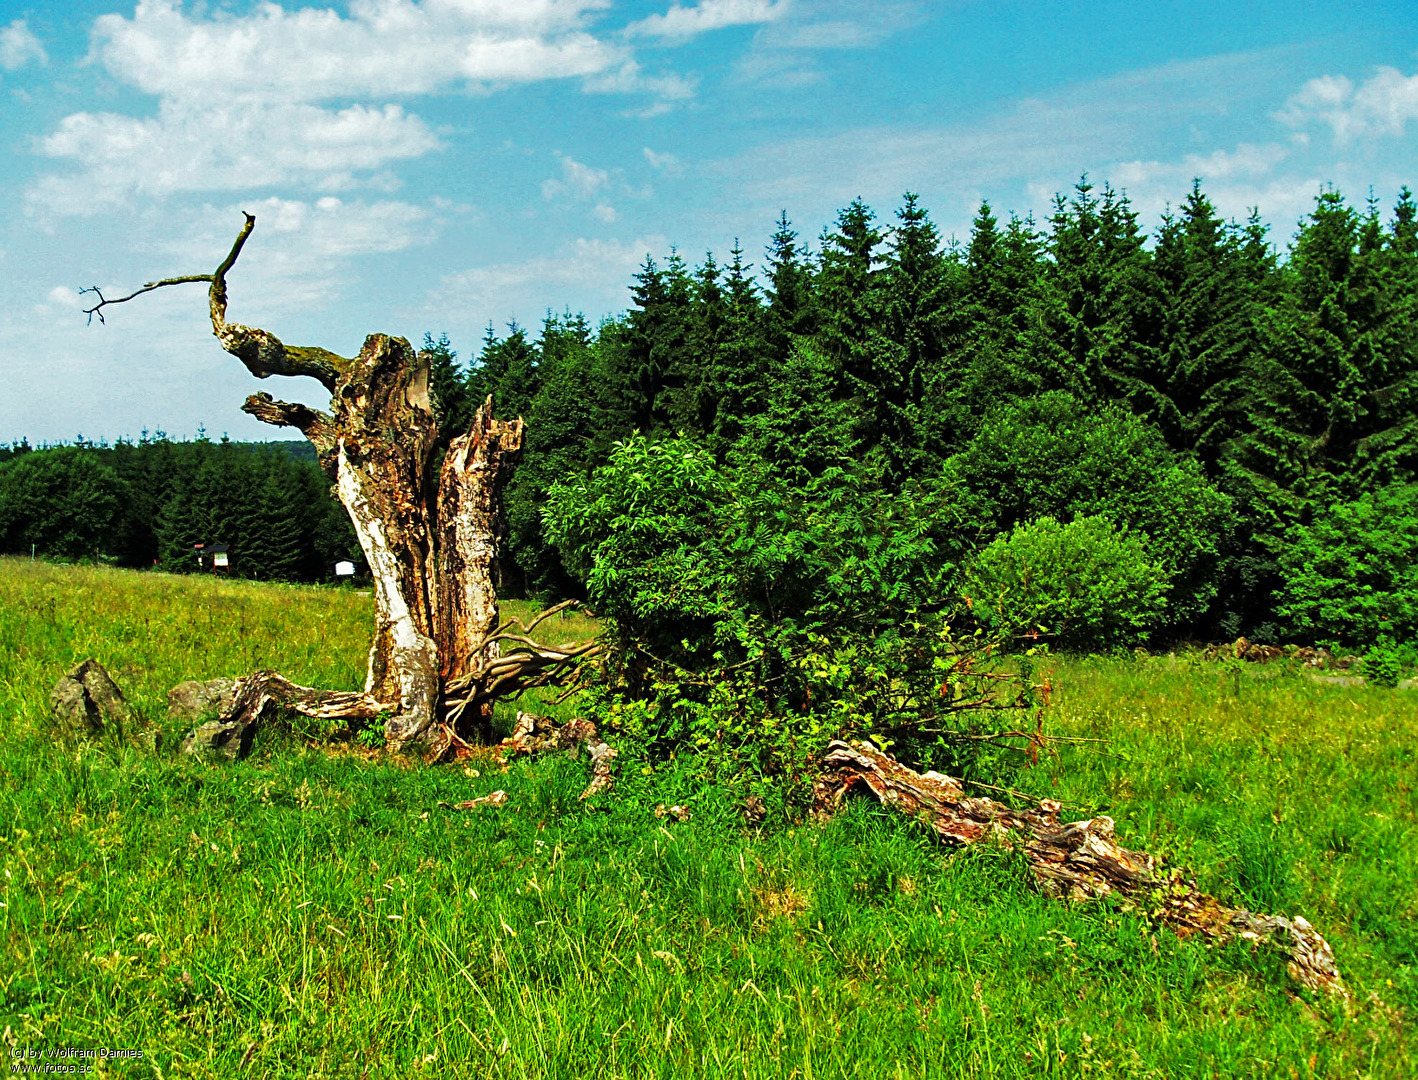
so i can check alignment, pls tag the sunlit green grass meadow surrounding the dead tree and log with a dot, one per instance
(317, 913)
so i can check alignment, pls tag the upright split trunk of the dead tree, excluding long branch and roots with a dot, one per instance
(430, 541)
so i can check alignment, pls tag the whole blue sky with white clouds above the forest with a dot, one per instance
(435, 165)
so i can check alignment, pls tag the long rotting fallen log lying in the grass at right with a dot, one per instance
(1073, 860)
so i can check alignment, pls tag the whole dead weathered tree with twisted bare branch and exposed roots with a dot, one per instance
(437, 660)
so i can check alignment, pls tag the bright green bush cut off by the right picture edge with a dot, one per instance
(1352, 573)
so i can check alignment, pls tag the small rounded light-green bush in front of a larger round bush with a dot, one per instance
(1087, 585)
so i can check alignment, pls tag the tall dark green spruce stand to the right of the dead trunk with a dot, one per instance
(1227, 403)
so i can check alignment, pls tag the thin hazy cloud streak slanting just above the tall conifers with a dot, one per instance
(1037, 144)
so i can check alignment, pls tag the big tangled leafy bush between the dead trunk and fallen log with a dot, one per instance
(751, 621)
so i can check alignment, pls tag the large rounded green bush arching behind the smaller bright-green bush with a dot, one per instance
(1053, 457)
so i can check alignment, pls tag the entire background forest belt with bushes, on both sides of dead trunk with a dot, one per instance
(1094, 434)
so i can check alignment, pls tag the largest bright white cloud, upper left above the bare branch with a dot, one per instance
(263, 100)
